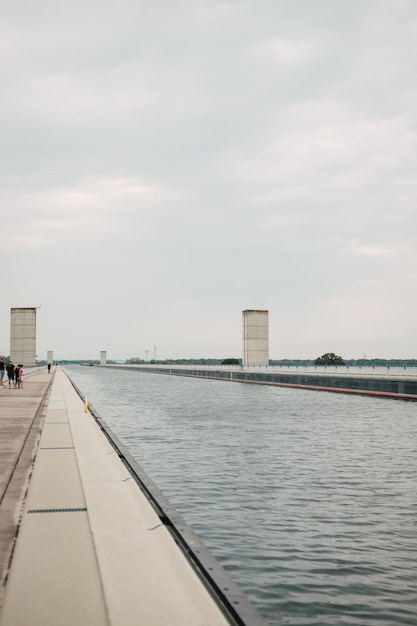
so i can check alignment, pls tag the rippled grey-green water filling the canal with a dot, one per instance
(308, 499)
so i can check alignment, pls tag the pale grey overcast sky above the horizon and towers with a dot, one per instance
(167, 164)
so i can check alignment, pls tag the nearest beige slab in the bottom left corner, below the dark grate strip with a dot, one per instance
(54, 579)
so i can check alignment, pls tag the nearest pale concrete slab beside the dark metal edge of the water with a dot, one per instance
(140, 590)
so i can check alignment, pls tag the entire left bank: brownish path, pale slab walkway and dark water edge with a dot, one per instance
(86, 537)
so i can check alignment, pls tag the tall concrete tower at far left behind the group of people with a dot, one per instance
(23, 335)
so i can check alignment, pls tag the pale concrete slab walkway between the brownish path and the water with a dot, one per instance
(90, 549)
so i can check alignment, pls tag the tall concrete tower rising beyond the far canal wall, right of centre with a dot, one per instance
(255, 326)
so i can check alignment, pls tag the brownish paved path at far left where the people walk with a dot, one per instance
(21, 415)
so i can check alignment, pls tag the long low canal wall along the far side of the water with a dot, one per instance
(381, 385)
